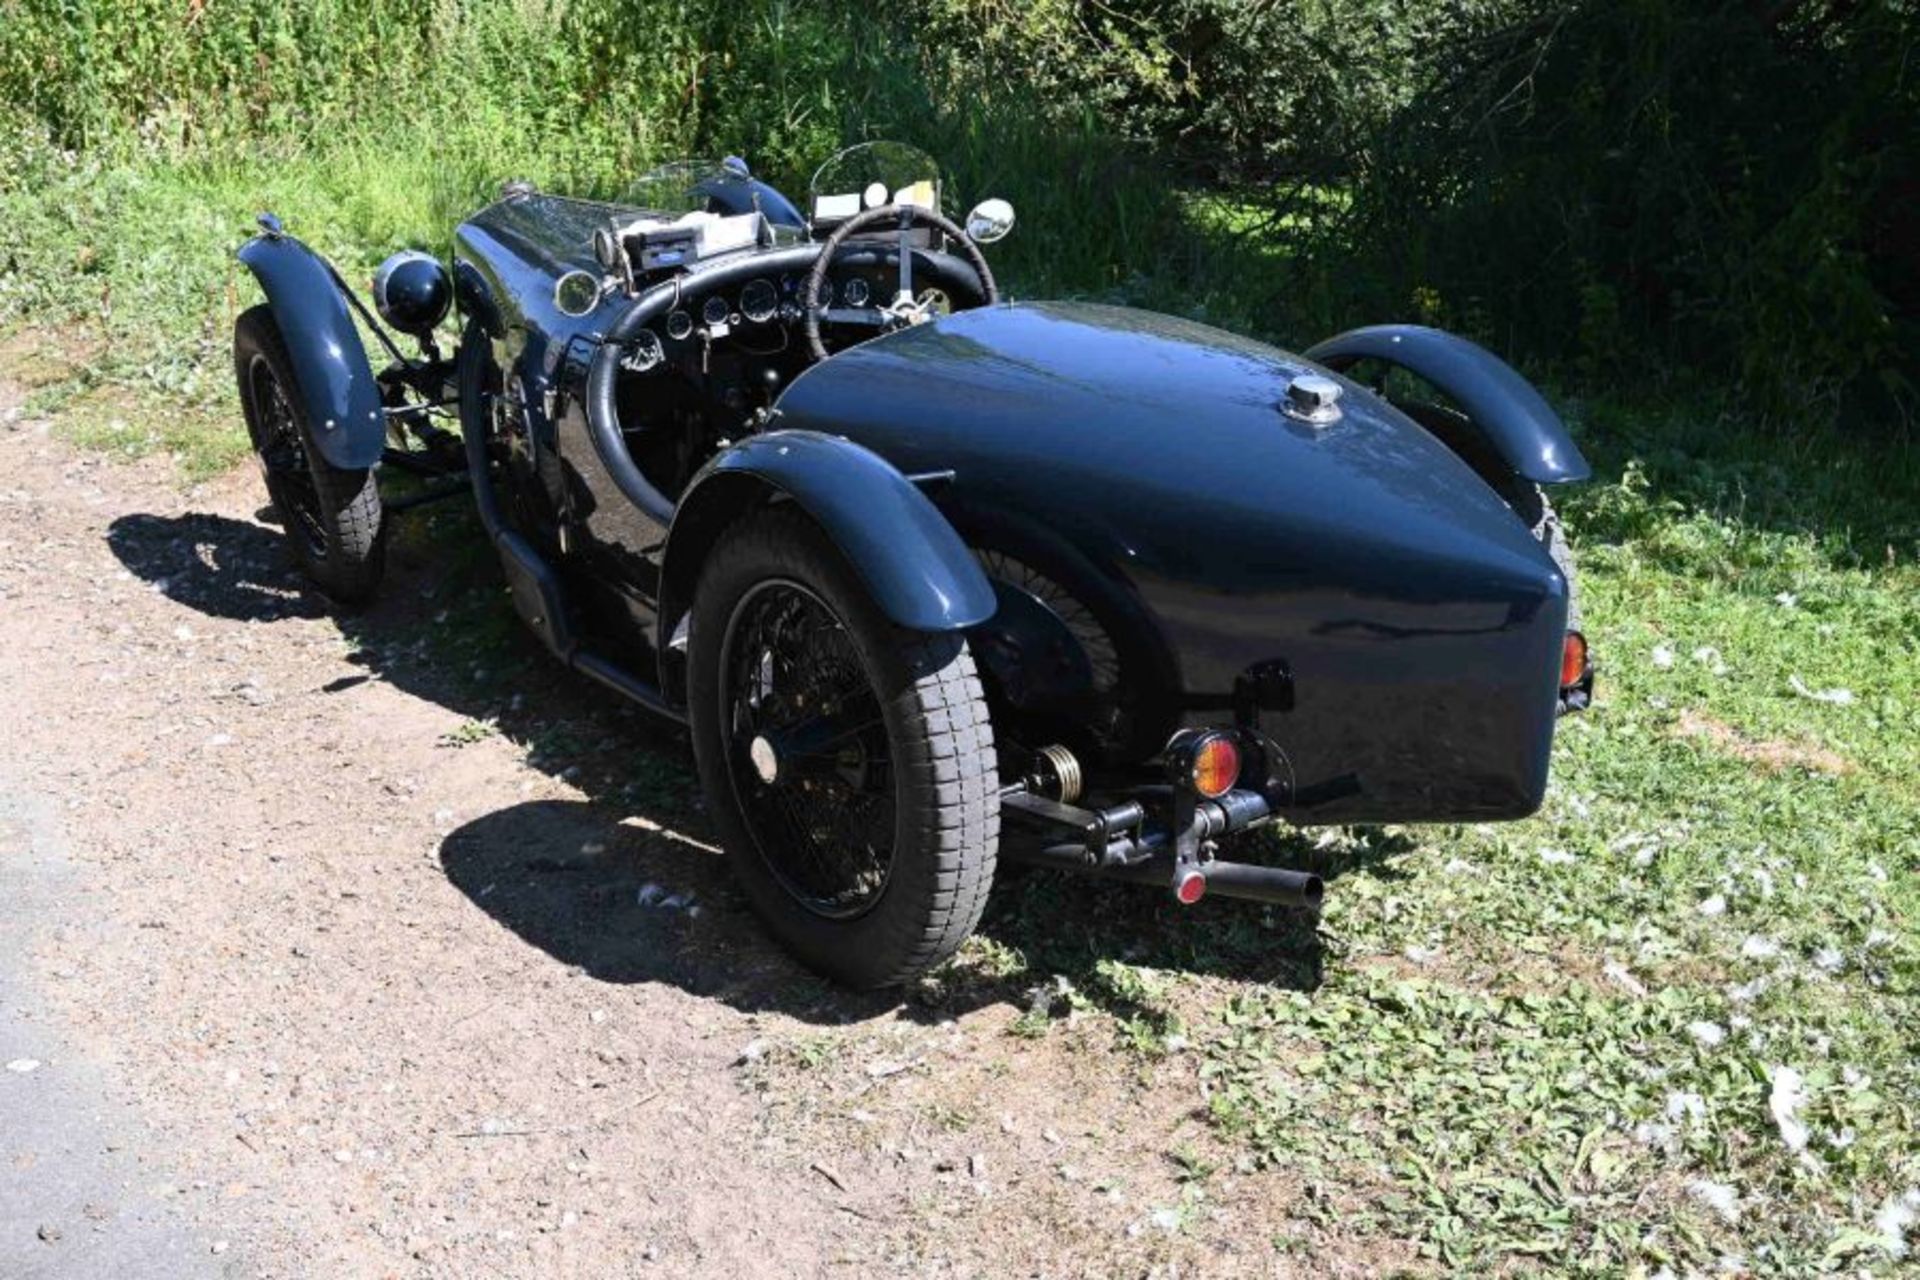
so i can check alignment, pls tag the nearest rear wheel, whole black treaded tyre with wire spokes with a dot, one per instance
(850, 765)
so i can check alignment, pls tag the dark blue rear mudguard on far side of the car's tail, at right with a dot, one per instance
(1508, 412)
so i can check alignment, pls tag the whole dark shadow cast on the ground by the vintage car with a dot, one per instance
(627, 886)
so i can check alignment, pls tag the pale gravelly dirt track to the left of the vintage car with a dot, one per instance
(379, 982)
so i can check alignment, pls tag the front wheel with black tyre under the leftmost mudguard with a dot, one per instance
(331, 517)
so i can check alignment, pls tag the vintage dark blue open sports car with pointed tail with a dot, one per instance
(934, 579)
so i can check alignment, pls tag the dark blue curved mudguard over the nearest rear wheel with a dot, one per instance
(907, 554)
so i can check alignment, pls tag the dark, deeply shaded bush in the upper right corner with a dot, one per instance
(1725, 187)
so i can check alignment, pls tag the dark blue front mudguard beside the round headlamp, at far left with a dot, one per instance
(337, 387)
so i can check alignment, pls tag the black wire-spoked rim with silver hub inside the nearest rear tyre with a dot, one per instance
(809, 751)
